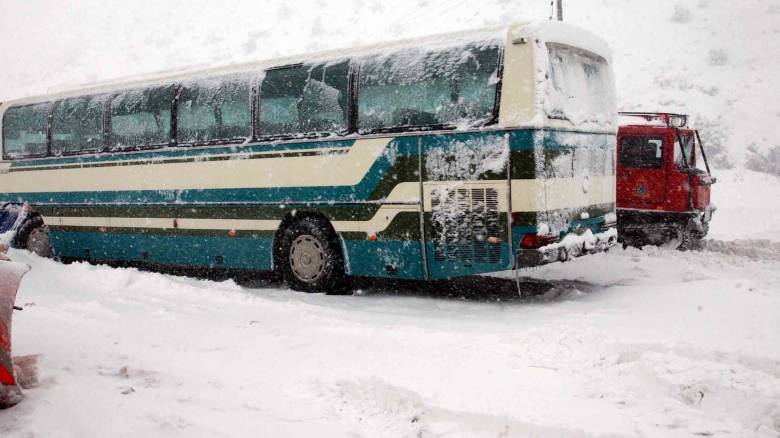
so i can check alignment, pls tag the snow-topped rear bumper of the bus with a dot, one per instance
(568, 248)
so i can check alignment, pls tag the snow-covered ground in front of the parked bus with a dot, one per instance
(631, 343)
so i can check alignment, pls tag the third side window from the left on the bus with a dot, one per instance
(141, 117)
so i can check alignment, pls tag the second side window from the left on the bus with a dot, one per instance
(77, 124)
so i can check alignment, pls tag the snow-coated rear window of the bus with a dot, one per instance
(580, 87)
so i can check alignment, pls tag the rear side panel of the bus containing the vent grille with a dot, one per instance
(465, 194)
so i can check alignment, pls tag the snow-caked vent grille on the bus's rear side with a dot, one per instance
(463, 220)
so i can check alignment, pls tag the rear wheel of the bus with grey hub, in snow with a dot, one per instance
(310, 257)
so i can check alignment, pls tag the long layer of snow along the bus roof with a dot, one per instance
(541, 31)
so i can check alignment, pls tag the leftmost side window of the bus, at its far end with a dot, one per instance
(24, 131)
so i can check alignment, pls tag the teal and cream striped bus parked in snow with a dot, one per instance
(445, 156)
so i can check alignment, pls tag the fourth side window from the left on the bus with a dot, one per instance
(215, 109)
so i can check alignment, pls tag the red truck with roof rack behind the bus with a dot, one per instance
(663, 194)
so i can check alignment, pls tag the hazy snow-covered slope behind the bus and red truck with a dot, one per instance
(715, 59)
